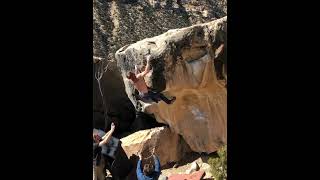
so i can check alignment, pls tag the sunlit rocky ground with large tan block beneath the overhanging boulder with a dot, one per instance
(171, 150)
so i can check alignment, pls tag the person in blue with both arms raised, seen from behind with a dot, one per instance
(149, 171)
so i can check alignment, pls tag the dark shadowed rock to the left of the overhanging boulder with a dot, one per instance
(117, 104)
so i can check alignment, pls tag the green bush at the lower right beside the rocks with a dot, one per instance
(218, 164)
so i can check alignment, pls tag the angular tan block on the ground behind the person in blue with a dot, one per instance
(168, 146)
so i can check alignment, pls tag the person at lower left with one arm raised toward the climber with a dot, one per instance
(99, 163)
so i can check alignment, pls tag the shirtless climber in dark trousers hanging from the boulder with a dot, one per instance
(145, 93)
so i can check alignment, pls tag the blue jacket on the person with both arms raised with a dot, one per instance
(154, 176)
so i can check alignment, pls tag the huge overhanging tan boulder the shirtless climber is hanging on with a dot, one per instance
(183, 65)
